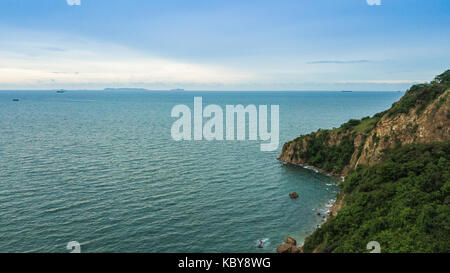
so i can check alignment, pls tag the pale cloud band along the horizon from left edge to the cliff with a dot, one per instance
(49, 60)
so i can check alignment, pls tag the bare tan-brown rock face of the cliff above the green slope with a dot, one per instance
(416, 126)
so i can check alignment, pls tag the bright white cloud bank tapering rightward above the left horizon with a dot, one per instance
(27, 62)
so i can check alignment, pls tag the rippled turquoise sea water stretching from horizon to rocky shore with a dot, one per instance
(102, 169)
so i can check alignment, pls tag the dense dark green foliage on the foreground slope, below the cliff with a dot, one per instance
(403, 203)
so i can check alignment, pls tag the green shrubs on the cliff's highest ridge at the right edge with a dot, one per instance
(421, 95)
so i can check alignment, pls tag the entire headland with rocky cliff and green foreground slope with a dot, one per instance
(395, 178)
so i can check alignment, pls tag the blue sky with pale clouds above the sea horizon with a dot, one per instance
(367, 45)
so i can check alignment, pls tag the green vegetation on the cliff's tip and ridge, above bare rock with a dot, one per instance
(334, 156)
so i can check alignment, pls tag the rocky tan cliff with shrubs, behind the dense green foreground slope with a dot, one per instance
(420, 116)
